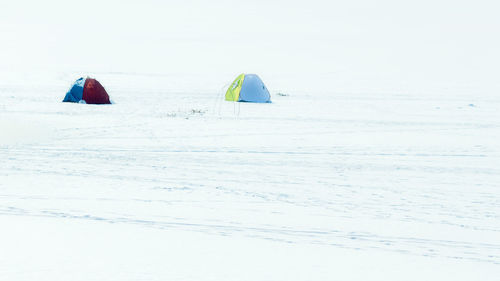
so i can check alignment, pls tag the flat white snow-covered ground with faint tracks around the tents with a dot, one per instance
(185, 186)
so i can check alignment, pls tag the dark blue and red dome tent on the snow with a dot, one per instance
(87, 90)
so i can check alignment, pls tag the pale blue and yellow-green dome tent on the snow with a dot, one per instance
(248, 88)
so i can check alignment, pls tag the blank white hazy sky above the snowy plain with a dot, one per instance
(454, 42)
